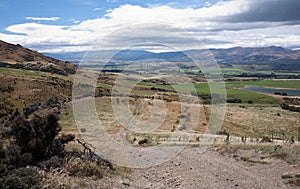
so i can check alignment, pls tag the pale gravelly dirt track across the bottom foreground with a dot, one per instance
(192, 169)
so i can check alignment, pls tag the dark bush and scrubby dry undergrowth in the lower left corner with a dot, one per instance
(32, 143)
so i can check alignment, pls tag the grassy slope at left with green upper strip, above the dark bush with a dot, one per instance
(29, 88)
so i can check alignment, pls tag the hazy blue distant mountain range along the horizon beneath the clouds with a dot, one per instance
(273, 57)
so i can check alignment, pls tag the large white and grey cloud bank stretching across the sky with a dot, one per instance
(220, 25)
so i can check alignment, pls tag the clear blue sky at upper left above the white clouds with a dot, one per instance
(70, 11)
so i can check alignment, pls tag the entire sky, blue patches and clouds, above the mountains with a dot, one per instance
(80, 25)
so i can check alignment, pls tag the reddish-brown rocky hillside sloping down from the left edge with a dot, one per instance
(16, 56)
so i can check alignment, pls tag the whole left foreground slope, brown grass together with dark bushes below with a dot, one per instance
(28, 134)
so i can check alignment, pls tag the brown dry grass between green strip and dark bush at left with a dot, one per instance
(29, 90)
